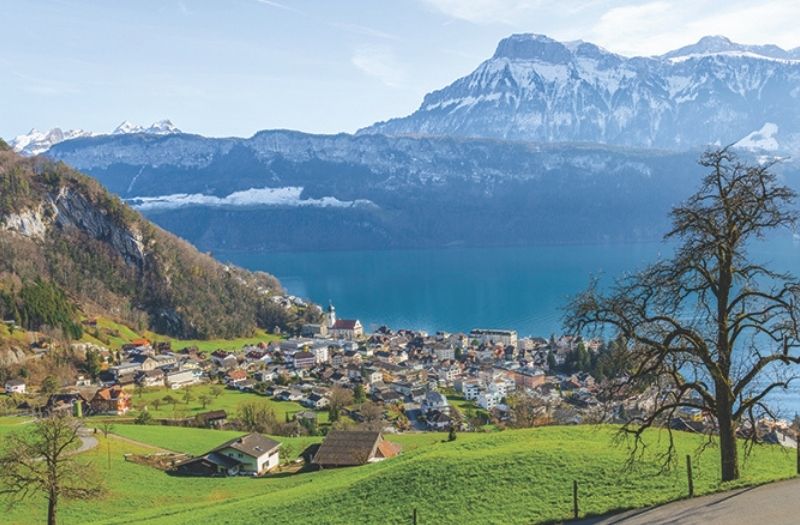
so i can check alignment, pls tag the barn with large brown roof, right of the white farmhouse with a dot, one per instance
(342, 448)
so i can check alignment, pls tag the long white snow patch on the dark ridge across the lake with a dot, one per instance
(290, 196)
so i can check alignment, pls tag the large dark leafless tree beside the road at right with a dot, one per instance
(710, 325)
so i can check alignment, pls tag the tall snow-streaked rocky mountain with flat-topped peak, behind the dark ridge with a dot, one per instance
(535, 88)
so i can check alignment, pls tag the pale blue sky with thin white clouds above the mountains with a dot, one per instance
(233, 67)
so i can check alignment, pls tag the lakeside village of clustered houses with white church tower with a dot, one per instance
(333, 379)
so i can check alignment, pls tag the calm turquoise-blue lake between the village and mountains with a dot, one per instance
(457, 289)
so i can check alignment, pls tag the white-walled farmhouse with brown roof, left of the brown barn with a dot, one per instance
(252, 455)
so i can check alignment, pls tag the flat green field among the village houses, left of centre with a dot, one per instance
(228, 400)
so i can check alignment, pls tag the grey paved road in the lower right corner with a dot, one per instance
(772, 504)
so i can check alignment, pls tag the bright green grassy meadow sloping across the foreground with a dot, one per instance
(522, 476)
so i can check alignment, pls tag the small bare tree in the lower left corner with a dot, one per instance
(40, 461)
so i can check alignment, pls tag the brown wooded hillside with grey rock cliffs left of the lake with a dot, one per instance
(69, 249)
